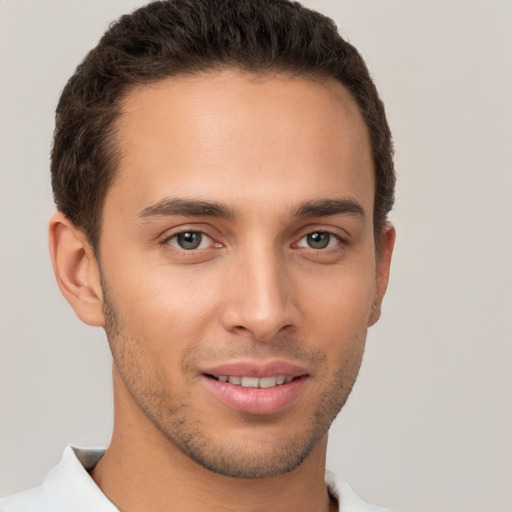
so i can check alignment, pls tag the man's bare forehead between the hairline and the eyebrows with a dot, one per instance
(227, 135)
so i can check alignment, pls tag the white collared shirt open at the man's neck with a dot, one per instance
(68, 487)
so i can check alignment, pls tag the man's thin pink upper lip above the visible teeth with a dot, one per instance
(255, 369)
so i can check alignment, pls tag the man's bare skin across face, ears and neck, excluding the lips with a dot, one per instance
(254, 290)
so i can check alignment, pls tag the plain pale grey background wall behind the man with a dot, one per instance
(429, 424)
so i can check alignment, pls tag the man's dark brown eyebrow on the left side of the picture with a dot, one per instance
(186, 208)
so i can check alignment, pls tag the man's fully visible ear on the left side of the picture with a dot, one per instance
(76, 269)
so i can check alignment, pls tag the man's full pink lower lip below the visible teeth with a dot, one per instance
(256, 400)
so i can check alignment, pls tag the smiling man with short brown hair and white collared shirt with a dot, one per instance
(223, 173)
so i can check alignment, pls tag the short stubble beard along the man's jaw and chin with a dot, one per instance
(192, 435)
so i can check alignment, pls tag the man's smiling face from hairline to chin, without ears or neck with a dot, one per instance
(238, 264)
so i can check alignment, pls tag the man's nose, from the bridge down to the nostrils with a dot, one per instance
(261, 299)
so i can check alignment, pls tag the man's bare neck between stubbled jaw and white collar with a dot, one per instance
(142, 471)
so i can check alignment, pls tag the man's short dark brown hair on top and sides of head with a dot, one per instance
(176, 37)
